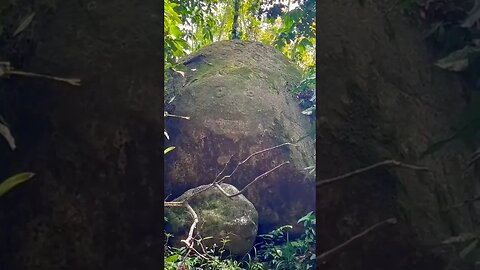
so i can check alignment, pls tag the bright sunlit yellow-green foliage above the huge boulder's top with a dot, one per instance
(192, 24)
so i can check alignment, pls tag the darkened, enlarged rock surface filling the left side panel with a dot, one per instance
(95, 202)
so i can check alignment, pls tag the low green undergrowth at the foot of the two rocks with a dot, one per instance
(273, 251)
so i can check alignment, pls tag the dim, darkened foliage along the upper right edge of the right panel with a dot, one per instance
(455, 35)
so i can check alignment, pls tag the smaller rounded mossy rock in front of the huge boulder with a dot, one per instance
(220, 217)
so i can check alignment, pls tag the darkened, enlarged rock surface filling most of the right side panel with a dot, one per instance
(381, 98)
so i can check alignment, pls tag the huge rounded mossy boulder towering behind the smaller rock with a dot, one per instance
(237, 95)
